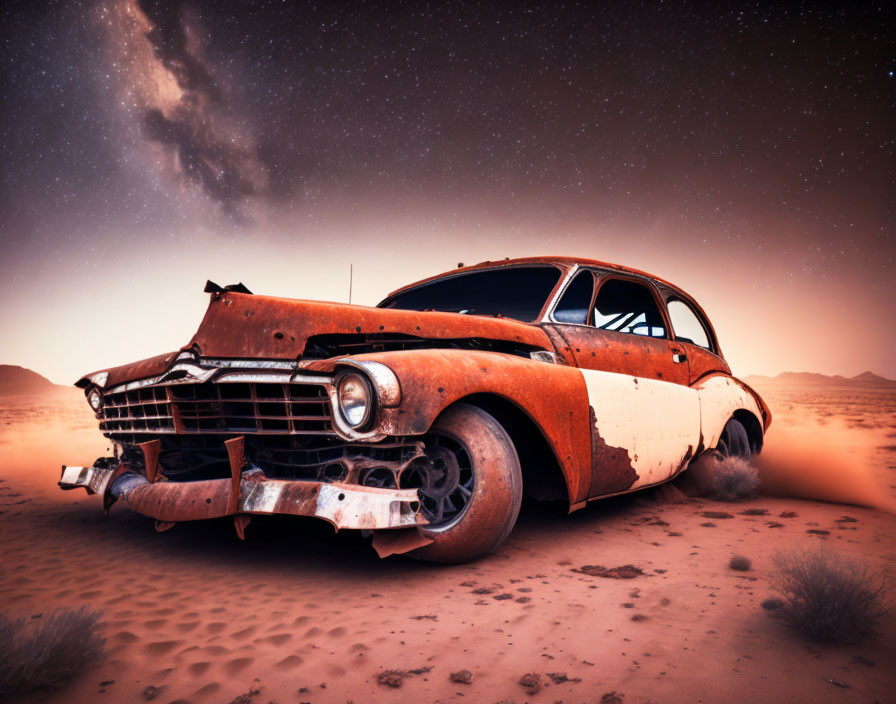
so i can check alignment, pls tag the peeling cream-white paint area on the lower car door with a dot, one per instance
(656, 421)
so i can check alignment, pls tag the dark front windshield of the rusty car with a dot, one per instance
(512, 292)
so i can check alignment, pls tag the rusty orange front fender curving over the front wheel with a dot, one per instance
(553, 396)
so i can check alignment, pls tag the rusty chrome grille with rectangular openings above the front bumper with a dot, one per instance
(218, 408)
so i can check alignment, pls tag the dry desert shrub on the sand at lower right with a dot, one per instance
(828, 596)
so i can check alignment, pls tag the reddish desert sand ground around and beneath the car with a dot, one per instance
(308, 616)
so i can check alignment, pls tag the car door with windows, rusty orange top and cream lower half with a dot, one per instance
(645, 418)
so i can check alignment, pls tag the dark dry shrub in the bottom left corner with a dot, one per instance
(46, 655)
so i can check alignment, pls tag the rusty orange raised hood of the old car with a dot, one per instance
(243, 325)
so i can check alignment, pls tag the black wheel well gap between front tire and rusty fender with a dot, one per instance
(542, 477)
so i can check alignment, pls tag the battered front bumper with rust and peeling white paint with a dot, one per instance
(343, 505)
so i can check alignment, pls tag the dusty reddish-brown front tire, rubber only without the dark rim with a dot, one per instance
(497, 488)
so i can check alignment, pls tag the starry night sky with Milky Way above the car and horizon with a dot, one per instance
(745, 151)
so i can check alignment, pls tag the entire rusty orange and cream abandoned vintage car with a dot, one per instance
(425, 419)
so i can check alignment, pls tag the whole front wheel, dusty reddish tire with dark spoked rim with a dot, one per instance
(470, 488)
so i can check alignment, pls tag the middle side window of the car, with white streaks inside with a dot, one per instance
(628, 306)
